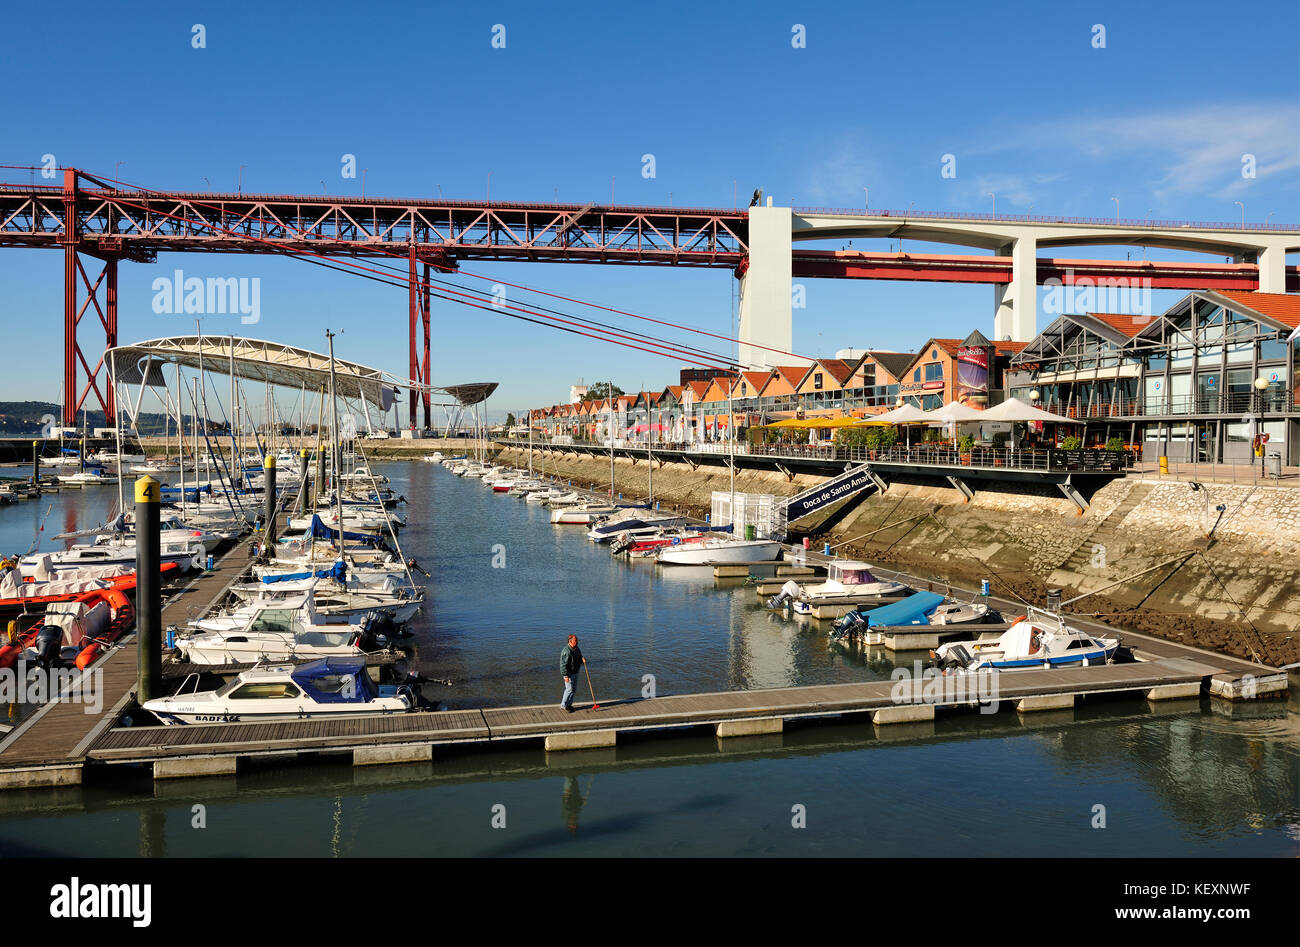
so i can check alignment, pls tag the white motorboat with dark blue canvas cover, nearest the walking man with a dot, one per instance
(327, 689)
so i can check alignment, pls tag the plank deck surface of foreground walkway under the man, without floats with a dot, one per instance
(146, 745)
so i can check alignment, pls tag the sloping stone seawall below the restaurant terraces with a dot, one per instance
(1221, 580)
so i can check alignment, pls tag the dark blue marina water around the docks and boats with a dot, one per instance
(508, 587)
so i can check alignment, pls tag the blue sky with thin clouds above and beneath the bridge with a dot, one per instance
(717, 93)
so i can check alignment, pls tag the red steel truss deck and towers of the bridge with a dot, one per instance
(89, 218)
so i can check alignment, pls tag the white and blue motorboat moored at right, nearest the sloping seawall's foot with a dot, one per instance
(1037, 641)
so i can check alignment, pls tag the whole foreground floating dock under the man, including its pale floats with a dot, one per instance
(413, 737)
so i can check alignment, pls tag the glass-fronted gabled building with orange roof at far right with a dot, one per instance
(1197, 383)
